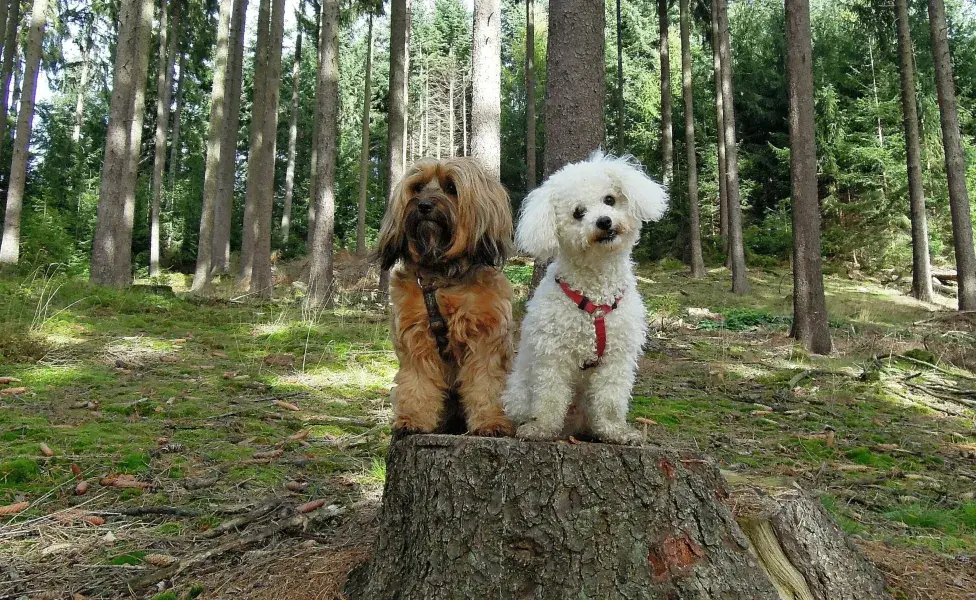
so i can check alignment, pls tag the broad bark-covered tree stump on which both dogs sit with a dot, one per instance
(468, 517)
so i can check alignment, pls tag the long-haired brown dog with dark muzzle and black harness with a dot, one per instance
(449, 226)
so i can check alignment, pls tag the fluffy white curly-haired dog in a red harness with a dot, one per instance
(585, 325)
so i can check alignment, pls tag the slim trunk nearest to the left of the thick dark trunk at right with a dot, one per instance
(740, 281)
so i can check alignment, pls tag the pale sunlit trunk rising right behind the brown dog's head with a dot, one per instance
(486, 72)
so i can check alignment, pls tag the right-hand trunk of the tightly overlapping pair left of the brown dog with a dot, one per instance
(262, 282)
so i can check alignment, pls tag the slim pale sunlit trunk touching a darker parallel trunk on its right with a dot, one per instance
(202, 276)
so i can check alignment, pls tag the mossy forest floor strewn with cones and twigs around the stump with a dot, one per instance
(203, 429)
